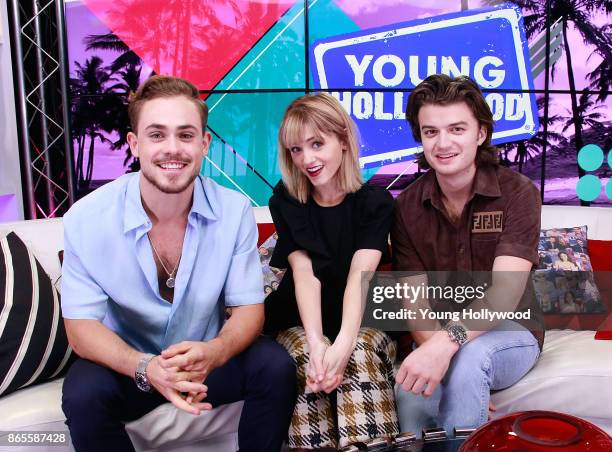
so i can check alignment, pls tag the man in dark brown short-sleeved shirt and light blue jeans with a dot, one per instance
(465, 214)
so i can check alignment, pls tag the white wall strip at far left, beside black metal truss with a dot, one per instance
(10, 179)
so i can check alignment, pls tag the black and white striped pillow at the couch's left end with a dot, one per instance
(33, 342)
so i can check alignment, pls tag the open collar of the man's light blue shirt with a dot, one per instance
(204, 203)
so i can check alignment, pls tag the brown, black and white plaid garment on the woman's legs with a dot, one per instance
(365, 405)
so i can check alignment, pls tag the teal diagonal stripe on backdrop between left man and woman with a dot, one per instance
(247, 124)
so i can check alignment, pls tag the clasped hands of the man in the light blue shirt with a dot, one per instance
(179, 372)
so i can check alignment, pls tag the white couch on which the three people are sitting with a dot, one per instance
(573, 375)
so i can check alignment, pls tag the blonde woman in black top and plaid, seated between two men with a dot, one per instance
(331, 228)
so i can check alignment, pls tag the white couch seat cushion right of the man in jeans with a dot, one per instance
(573, 376)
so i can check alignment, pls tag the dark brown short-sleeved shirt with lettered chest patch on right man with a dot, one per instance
(501, 218)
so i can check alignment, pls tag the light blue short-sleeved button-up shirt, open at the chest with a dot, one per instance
(109, 272)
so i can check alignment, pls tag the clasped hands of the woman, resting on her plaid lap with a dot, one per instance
(327, 363)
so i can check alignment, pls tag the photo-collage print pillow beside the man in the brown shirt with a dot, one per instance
(564, 281)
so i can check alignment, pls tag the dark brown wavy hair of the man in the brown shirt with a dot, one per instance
(440, 89)
